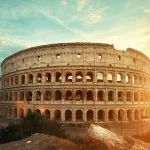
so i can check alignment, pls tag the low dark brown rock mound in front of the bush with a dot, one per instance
(40, 142)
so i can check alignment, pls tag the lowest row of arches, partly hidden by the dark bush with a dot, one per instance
(80, 115)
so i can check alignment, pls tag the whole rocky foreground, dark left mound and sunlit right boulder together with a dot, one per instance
(97, 138)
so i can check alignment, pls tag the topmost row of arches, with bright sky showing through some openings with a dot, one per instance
(79, 76)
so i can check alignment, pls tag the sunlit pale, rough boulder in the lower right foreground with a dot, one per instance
(99, 138)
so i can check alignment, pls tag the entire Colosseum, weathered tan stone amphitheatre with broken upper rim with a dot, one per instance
(77, 83)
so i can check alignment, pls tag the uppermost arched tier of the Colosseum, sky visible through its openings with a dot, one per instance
(78, 76)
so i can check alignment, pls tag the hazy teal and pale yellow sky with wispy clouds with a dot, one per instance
(26, 23)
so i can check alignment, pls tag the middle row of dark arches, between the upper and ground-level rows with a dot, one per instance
(89, 95)
